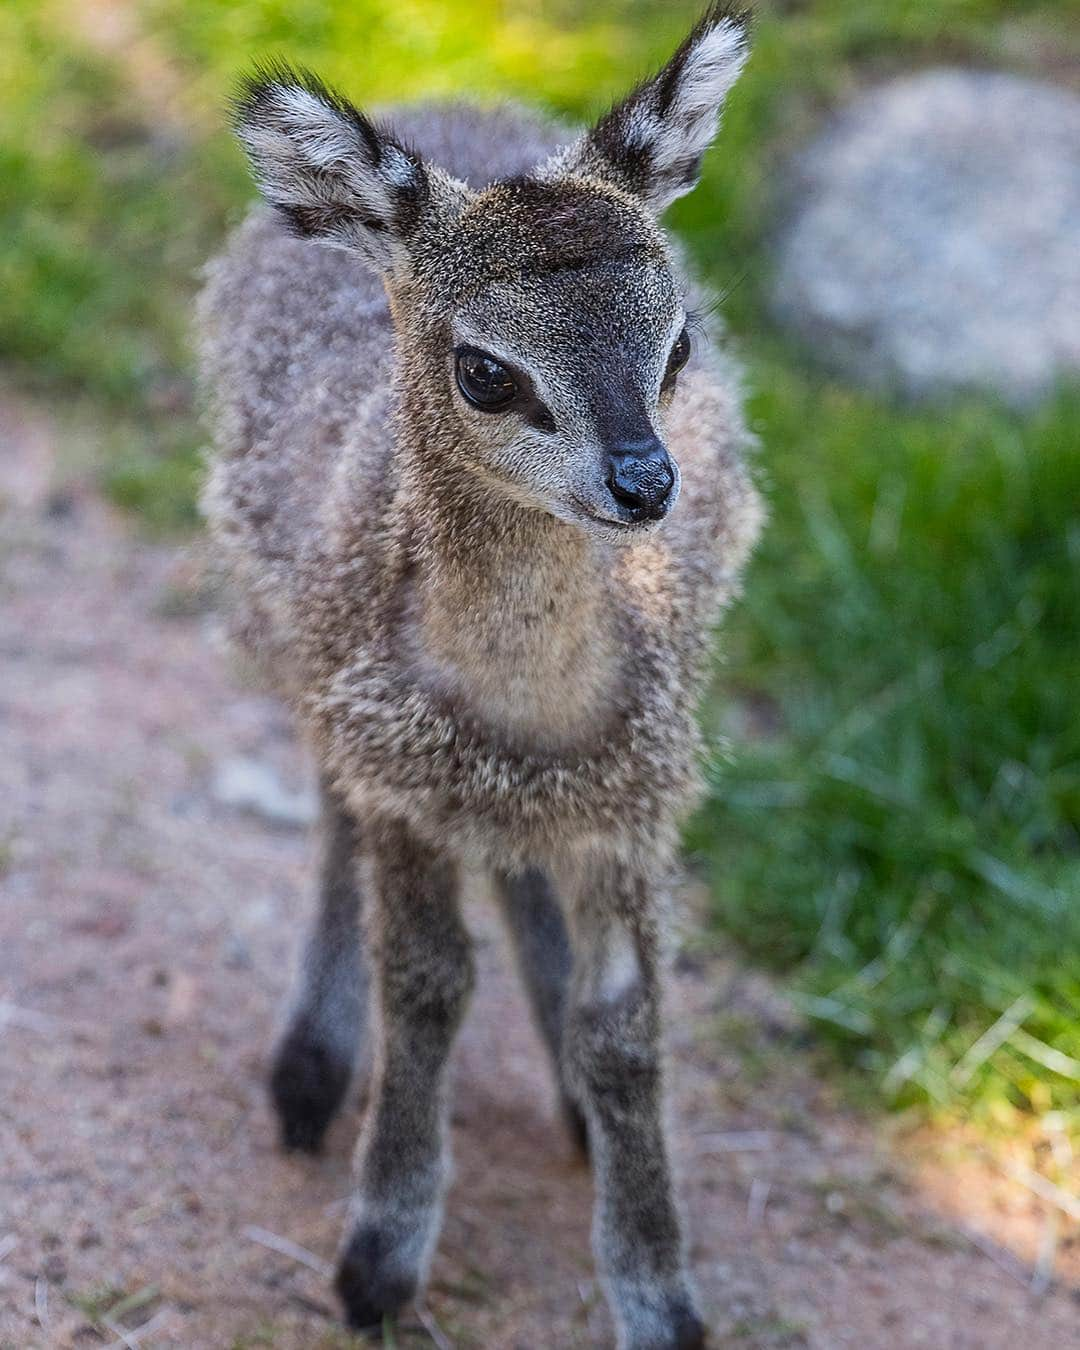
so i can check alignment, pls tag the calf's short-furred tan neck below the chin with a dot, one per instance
(510, 608)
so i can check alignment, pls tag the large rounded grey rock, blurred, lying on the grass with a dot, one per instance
(934, 238)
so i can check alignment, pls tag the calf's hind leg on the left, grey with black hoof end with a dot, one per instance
(317, 1058)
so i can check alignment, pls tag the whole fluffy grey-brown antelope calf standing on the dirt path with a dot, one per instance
(484, 503)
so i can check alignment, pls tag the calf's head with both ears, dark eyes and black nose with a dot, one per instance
(539, 319)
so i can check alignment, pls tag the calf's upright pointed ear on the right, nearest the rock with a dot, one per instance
(653, 142)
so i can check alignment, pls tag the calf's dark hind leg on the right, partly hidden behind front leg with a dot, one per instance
(546, 961)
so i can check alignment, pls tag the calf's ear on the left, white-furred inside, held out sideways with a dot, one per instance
(330, 171)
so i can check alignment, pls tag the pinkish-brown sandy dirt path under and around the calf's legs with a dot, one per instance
(148, 929)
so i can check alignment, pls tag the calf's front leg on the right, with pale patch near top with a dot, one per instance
(614, 1056)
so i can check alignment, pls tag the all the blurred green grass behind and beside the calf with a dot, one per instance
(904, 842)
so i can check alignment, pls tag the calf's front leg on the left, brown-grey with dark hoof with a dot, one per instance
(423, 975)
